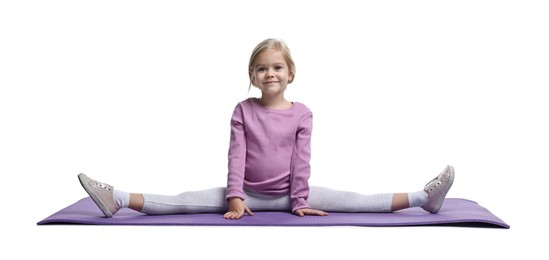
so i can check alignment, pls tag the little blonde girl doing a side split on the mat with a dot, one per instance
(268, 165)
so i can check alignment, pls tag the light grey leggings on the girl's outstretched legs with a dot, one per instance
(213, 200)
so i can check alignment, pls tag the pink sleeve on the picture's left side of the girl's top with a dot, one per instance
(237, 156)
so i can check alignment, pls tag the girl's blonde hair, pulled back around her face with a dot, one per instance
(271, 44)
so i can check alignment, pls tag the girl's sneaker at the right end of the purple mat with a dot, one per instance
(437, 189)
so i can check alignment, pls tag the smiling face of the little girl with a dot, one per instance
(271, 73)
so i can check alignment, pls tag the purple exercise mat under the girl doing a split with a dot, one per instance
(458, 212)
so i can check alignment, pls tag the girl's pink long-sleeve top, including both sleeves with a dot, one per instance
(270, 151)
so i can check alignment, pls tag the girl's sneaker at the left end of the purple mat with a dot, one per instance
(101, 194)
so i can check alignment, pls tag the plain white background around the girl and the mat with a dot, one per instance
(139, 94)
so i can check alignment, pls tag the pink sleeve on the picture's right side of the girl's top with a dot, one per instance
(300, 167)
